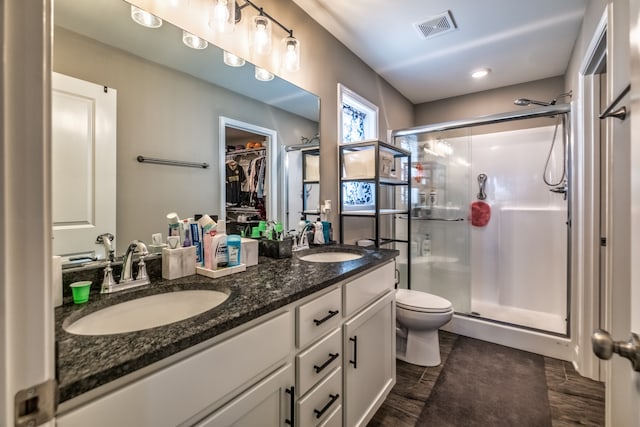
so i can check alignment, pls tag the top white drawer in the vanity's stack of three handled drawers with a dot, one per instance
(318, 316)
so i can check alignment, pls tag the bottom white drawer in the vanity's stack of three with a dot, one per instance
(319, 403)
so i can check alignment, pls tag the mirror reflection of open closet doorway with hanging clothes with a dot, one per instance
(247, 171)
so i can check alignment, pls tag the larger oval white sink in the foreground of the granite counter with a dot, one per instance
(147, 312)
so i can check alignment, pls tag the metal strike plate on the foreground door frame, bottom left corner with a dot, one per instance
(36, 405)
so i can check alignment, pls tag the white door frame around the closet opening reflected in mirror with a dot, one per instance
(271, 202)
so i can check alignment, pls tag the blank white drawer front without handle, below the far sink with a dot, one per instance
(363, 290)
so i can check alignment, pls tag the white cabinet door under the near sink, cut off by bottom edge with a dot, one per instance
(269, 403)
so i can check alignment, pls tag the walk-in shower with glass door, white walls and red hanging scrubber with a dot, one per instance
(512, 271)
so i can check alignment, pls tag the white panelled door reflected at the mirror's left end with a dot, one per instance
(83, 165)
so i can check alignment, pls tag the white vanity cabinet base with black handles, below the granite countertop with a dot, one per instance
(326, 360)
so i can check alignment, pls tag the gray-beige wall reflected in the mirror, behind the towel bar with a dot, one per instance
(166, 114)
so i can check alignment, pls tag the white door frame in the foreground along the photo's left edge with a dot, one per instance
(27, 338)
